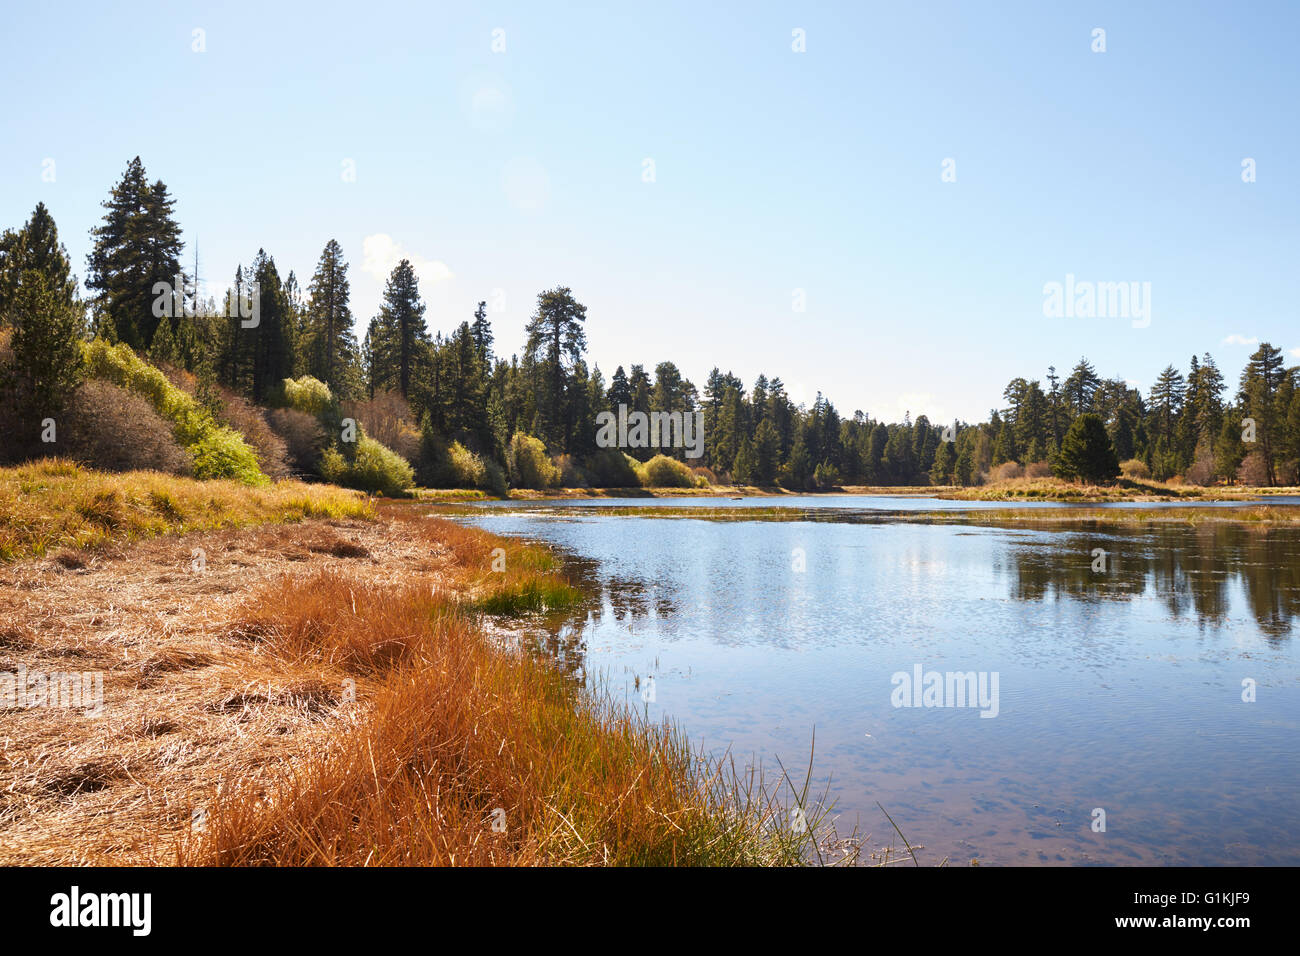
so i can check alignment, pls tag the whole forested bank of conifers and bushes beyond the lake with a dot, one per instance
(272, 382)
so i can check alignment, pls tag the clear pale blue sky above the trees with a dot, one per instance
(775, 171)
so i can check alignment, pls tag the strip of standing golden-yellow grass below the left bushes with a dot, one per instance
(55, 504)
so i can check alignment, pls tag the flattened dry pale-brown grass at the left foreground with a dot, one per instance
(189, 704)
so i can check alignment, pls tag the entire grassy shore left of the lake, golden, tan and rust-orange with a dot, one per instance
(331, 689)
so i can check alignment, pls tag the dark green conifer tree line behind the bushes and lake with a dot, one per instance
(454, 390)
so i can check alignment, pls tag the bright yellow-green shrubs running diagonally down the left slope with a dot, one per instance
(218, 451)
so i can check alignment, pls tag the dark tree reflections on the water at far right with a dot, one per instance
(1191, 569)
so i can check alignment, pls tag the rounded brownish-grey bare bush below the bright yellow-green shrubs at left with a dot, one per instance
(114, 430)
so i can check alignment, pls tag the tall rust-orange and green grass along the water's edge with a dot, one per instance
(473, 752)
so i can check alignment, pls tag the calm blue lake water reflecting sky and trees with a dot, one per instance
(1119, 690)
